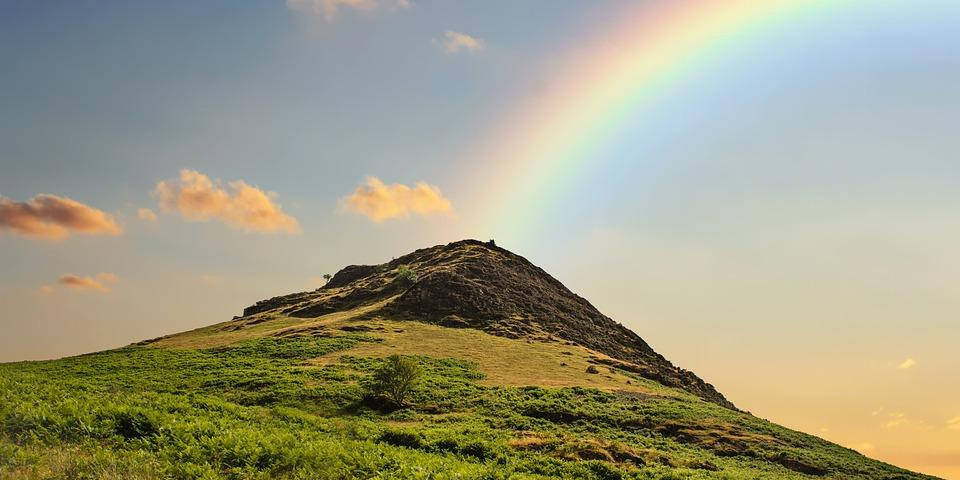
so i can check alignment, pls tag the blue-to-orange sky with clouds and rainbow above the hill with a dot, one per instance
(767, 195)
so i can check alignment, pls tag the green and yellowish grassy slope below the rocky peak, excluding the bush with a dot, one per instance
(236, 403)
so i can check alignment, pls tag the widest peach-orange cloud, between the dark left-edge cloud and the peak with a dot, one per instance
(198, 198)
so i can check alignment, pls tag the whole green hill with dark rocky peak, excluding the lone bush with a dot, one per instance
(522, 379)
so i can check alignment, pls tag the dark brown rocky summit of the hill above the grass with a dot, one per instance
(472, 284)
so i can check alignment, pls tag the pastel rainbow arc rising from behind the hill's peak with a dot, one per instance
(541, 150)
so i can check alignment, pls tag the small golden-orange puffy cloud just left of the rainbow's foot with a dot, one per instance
(380, 202)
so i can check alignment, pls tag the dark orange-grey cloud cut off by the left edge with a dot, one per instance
(51, 217)
